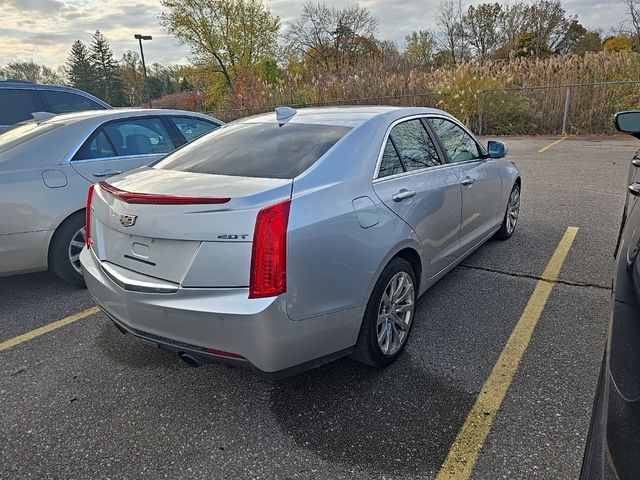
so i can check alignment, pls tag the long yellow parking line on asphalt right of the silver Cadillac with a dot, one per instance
(467, 446)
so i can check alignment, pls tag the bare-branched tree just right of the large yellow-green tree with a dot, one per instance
(333, 37)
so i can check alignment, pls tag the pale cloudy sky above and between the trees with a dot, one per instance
(43, 30)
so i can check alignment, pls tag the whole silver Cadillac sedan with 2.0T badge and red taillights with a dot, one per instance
(283, 241)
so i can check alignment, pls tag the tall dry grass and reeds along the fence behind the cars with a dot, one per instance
(504, 96)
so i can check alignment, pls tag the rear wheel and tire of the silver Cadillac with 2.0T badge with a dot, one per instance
(369, 349)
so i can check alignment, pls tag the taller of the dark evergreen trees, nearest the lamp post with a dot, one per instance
(110, 87)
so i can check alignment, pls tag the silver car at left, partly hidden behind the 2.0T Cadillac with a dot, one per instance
(46, 168)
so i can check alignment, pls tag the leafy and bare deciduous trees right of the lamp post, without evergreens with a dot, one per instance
(239, 46)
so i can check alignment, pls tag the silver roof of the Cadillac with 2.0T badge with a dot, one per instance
(349, 116)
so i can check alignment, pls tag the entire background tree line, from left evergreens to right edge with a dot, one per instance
(241, 51)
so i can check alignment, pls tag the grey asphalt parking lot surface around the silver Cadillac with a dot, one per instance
(84, 401)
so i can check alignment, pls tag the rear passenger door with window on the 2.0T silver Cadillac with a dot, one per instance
(421, 188)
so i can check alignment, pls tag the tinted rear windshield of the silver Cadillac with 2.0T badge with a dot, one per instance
(264, 150)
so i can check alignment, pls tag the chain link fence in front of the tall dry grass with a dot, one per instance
(577, 108)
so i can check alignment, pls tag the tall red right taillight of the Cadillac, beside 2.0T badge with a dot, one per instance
(269, 253)
